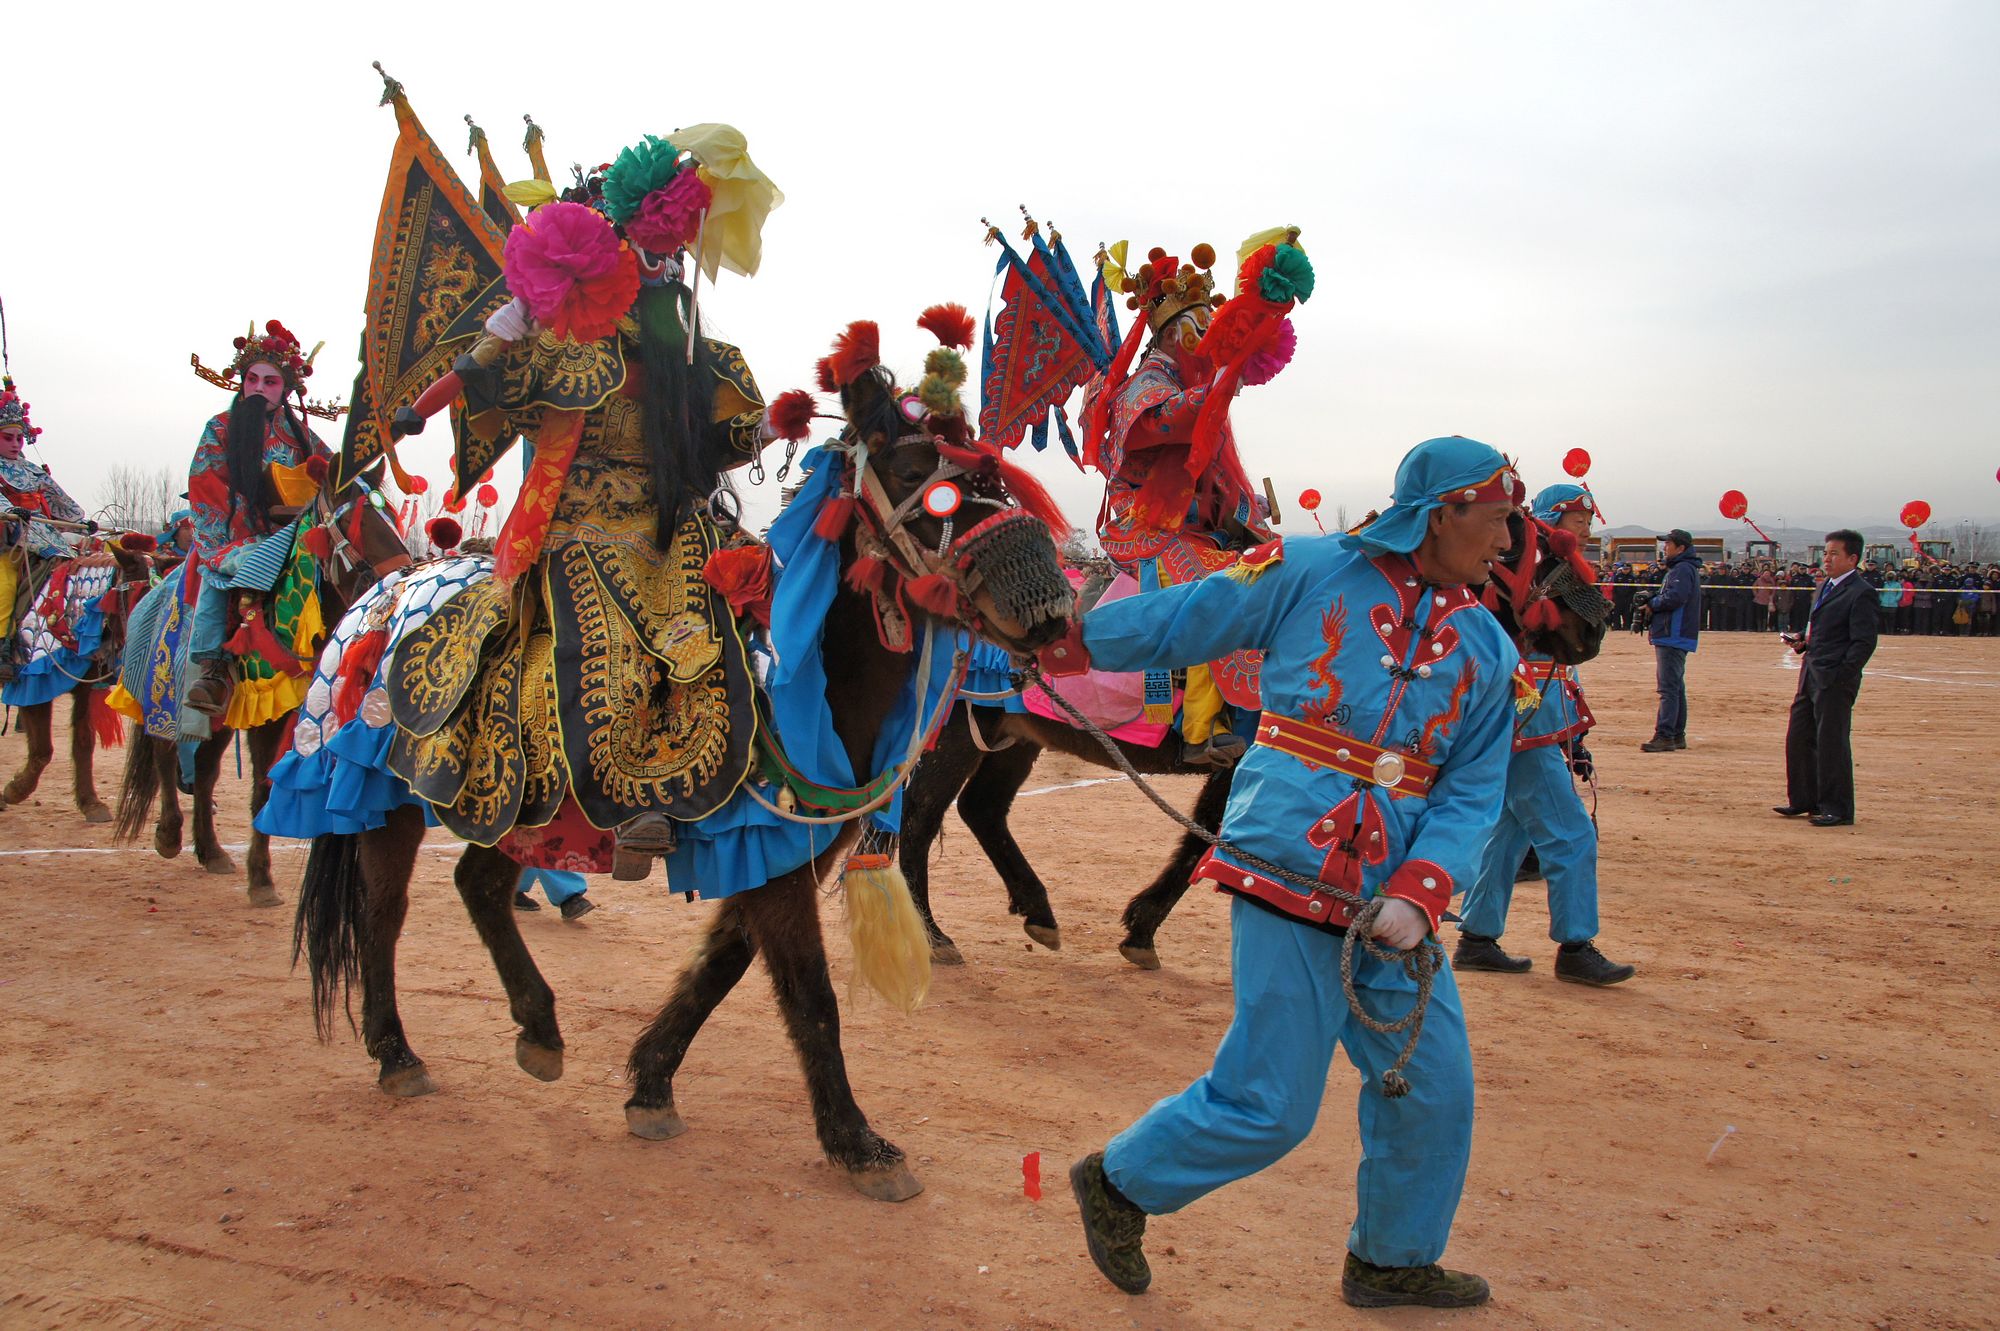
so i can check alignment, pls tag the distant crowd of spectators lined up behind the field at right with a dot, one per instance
(1759, 597)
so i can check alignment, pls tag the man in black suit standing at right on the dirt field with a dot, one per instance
(1819, 764)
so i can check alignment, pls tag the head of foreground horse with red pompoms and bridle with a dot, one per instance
(933, 521)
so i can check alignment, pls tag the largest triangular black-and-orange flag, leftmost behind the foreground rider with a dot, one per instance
(433, 279)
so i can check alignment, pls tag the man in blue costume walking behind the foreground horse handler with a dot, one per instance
(1543, 810)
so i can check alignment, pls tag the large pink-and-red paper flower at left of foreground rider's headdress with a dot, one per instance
(573, 271)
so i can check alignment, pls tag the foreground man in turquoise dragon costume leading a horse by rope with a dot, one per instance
(1379, 766)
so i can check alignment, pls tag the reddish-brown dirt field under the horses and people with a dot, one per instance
(181, 1154)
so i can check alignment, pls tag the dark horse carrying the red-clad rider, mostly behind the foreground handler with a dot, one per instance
(983, 772)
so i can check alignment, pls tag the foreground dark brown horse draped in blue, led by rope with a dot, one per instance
(1003, 579)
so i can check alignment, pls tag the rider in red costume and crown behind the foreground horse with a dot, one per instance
(1177, 501)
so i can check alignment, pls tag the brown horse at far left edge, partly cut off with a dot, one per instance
(133, 563)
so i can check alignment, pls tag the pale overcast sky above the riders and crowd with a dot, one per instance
(1715, 245)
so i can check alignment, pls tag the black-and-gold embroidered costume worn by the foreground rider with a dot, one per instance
(607, 678)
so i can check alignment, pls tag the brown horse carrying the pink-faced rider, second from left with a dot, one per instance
(153, 766)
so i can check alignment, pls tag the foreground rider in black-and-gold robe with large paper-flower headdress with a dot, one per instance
(597, 589)
